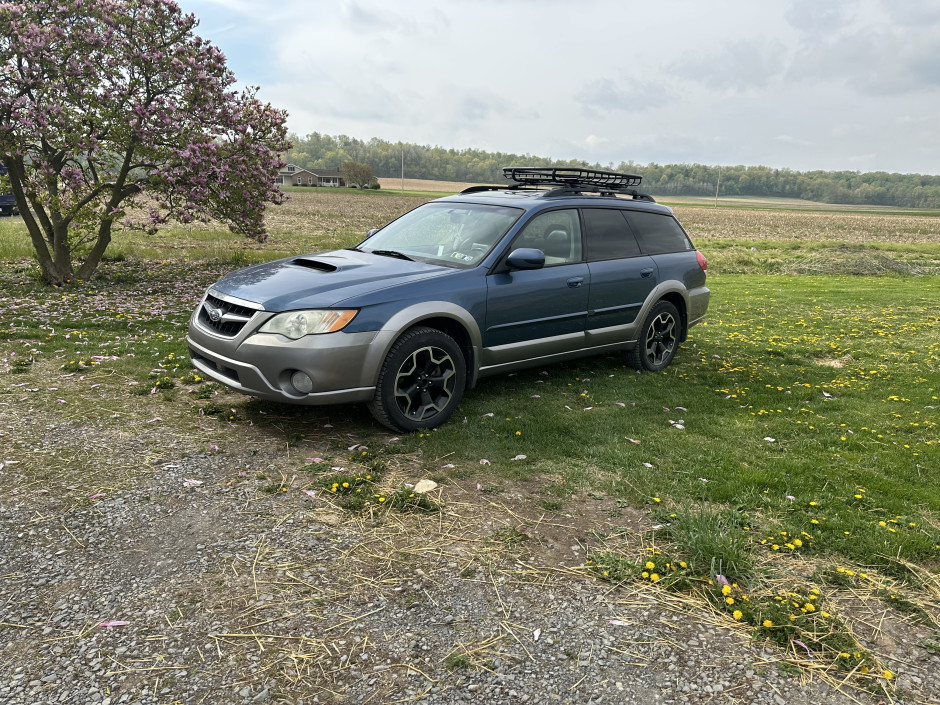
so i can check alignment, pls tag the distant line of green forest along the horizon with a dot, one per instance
(476, 166)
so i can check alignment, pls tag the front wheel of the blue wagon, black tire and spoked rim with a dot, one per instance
(421, 381)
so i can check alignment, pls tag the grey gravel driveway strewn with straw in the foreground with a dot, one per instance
(210, 577)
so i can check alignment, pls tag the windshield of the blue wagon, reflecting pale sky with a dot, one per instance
(450, 234)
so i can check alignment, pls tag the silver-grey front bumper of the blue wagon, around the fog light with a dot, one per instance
(261, 365)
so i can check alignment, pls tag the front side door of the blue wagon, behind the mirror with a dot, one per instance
(539, 312)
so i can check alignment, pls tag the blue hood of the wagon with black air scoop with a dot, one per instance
(324, 279)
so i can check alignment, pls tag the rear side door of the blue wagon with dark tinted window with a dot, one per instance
(621, 276)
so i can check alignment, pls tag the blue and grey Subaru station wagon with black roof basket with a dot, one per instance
(562, 263)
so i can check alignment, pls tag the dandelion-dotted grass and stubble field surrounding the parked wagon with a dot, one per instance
(792, 447)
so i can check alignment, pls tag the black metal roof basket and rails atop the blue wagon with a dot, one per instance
(569, 180)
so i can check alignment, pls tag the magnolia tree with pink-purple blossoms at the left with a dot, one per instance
(114, 111)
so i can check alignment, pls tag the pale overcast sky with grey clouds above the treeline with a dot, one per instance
(800, 84)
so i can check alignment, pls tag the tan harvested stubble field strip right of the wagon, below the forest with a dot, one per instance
(735, 224)
